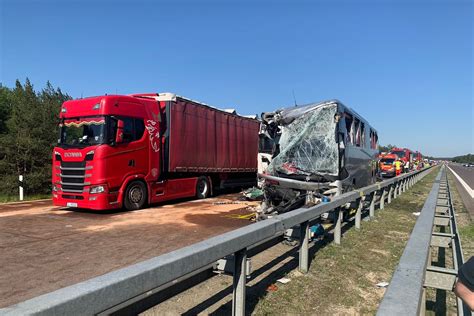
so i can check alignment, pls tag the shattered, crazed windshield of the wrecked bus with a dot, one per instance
(308, 142)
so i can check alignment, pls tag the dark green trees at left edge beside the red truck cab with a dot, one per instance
(28, 133)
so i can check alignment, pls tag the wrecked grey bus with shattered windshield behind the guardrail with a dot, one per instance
(319, 150)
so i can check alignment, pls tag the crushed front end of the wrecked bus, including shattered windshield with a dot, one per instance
(307, 157)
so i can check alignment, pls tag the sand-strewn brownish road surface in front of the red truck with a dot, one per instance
(44, 248)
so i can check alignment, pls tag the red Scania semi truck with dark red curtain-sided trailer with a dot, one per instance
(127, 151)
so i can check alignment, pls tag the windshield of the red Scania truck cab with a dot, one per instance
(82, 131)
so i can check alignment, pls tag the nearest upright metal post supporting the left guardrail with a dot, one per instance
(238, 297)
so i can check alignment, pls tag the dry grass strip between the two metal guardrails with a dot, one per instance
(342, 279)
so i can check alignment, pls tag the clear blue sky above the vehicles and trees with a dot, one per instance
(406, 66)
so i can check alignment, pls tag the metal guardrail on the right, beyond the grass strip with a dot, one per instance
(406, 294)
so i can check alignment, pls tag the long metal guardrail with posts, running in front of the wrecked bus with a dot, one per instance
(115, 290)
